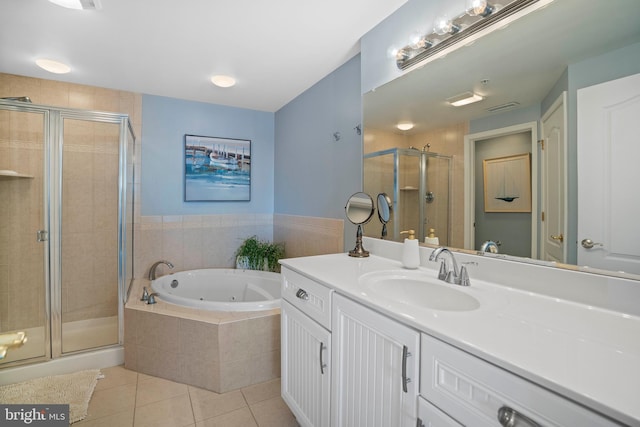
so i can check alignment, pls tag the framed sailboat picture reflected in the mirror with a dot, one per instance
(507, 183)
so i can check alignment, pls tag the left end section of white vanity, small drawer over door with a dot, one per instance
(306, 348)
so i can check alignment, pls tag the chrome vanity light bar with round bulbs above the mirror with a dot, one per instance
(478, 15)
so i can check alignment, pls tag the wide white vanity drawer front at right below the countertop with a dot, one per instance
(473, 391)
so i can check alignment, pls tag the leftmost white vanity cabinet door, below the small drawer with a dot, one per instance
(306, 375)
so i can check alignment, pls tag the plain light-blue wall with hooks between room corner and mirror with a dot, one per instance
(315, 175)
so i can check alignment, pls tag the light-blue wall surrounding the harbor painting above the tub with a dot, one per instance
(165, 121)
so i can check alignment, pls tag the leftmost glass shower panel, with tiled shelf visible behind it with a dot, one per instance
(23, 248)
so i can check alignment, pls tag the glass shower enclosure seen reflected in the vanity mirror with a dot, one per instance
(419, 184)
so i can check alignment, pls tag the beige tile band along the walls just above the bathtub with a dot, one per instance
(192, 242)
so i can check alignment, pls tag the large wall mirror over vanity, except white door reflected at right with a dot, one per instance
(439, 172)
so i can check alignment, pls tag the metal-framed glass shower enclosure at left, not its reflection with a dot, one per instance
(66, 228)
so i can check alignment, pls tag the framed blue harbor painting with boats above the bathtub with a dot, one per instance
(216, 169)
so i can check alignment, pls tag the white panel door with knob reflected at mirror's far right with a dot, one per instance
(609, 175)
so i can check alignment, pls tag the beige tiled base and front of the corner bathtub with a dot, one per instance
(218, 351)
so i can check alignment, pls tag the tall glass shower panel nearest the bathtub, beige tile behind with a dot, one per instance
(89, 229)
